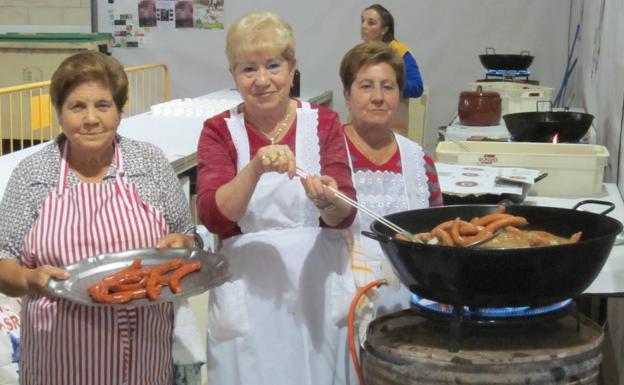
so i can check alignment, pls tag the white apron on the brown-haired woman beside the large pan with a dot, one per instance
(386, 193)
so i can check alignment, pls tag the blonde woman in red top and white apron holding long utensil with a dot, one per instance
(281, 318)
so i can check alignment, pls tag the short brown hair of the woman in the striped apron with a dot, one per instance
(87, 66)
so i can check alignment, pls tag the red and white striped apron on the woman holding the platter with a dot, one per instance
(65, 343)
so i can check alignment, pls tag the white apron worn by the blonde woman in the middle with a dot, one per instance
(281, 319)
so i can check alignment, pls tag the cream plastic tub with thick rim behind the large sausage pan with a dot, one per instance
(574, 170)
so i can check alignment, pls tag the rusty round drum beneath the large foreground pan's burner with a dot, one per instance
(402, 348)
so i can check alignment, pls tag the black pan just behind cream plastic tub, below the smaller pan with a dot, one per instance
(543, 126)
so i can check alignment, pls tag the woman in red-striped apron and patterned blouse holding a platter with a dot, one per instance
(89, 192)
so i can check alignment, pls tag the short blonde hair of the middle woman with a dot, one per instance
(259, 32)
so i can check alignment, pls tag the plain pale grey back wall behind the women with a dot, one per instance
(445, 36)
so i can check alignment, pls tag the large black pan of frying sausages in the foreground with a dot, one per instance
(499, 277)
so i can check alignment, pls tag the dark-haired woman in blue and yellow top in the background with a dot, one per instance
(377, 24)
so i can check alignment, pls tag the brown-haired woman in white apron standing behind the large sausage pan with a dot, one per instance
(390, 172)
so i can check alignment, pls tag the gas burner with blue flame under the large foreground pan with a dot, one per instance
(458, 316)
